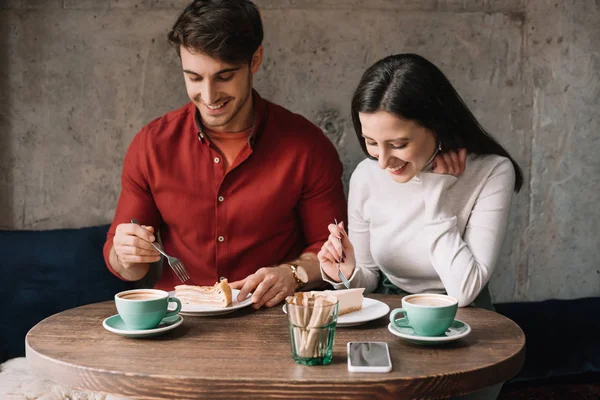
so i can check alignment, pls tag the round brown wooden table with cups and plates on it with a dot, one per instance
(246, 354)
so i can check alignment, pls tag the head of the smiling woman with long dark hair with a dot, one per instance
(405, 98)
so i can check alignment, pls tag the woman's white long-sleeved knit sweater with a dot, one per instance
(436, 233)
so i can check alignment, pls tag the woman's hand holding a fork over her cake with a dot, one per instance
(330, 253)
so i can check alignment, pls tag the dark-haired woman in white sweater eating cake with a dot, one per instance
(428, 209)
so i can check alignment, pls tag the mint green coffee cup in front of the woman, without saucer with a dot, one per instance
(427, 314)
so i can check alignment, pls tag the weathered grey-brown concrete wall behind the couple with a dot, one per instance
(78, 78)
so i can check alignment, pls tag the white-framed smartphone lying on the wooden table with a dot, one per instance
(369, 357)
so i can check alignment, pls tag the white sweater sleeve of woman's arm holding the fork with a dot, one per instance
(366, 273)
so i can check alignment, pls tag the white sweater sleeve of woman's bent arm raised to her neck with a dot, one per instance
(465, 264)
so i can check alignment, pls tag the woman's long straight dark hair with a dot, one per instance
(412, 88)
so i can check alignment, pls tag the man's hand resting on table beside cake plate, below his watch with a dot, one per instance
(270, 286)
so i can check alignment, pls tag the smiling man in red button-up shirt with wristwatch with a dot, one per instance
(238, 187)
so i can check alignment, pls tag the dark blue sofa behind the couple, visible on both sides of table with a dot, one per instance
(46, 272)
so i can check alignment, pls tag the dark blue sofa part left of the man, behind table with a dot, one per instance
(45, 272)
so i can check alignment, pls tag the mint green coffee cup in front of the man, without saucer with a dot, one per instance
(144, 308)
